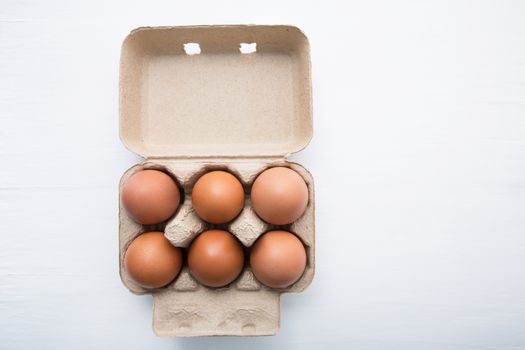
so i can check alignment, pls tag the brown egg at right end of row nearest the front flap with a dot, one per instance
(278, 259)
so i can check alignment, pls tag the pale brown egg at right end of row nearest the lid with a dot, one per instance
(279, 196)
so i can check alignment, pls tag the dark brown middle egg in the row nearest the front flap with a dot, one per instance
(215, 258)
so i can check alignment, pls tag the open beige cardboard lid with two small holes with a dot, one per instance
(215, 91)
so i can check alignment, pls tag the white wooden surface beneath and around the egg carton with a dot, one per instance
(418, 155)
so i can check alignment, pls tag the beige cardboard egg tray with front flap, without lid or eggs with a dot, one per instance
(244, 307)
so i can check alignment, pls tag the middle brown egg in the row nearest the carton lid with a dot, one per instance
(218, 197)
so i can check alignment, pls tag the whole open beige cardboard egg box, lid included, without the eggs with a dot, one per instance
(203, 98)
